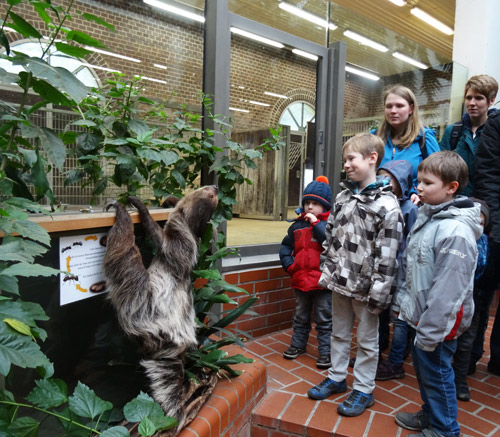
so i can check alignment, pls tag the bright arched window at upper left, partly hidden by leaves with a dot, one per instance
(54, 58)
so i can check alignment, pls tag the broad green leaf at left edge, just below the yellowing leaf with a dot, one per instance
(19, 350)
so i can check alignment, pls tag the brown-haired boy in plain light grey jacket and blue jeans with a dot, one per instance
(441, 259)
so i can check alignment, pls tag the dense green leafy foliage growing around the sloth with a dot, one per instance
(147, 149)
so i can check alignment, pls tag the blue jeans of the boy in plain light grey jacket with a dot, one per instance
(436, 381)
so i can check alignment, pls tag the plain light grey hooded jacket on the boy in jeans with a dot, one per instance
(441, 259)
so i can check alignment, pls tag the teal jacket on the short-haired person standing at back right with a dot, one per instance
(466, 147)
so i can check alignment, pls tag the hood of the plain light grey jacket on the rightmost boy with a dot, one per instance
(461, 208)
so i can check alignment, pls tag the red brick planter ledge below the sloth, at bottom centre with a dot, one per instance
(228, 410)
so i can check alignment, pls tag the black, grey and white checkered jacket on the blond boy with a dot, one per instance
(363, 235)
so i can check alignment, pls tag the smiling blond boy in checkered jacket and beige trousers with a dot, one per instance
(359, 265)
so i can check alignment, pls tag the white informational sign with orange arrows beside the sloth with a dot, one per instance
(80, 256)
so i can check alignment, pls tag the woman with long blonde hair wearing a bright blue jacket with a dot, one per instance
(403, 133)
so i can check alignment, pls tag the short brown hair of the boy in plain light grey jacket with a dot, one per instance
(447, 166)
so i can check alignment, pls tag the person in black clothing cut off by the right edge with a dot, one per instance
(488, 189)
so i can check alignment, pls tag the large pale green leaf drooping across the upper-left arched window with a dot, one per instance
(58, 77)
